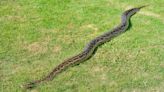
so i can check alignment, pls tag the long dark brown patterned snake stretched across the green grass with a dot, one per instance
(89, 49)
